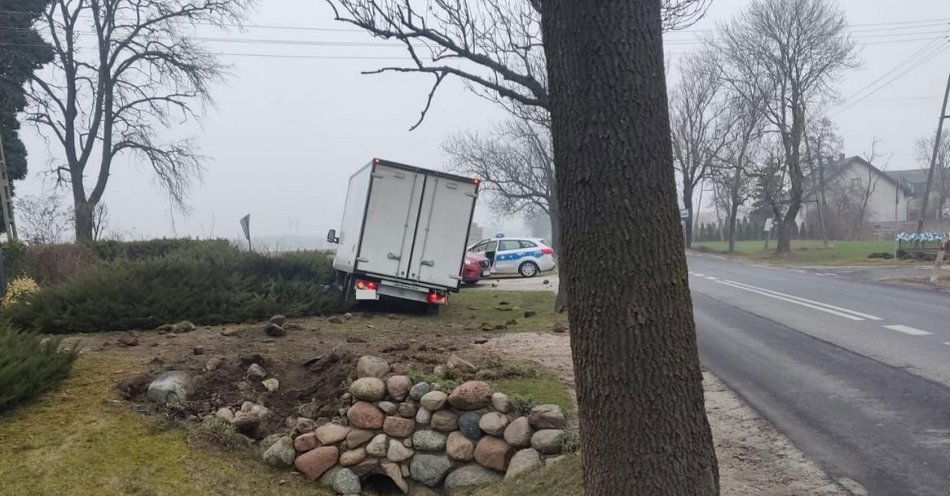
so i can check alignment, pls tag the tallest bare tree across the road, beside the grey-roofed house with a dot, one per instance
(793, 51)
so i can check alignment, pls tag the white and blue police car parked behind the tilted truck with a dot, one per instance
(527, 257)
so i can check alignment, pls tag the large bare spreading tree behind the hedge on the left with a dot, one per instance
(109, 93)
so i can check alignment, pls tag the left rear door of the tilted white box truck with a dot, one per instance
(391, 217)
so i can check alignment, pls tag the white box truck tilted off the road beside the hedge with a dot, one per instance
(403, 234)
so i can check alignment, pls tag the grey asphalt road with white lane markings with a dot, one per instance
(856, 373)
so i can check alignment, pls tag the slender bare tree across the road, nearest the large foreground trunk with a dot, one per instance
(696, 111)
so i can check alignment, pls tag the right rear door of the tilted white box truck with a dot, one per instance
(442, 231)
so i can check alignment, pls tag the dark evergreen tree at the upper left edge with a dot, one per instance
(22, 52)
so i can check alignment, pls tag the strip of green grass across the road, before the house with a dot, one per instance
(808, 252)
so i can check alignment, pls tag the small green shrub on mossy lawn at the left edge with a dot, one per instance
(30, 365)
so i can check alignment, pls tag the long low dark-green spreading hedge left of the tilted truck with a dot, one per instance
(207, 283)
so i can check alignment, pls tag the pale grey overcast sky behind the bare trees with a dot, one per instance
(287, 132)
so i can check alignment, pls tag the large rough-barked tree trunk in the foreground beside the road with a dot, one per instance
(639, 384)
